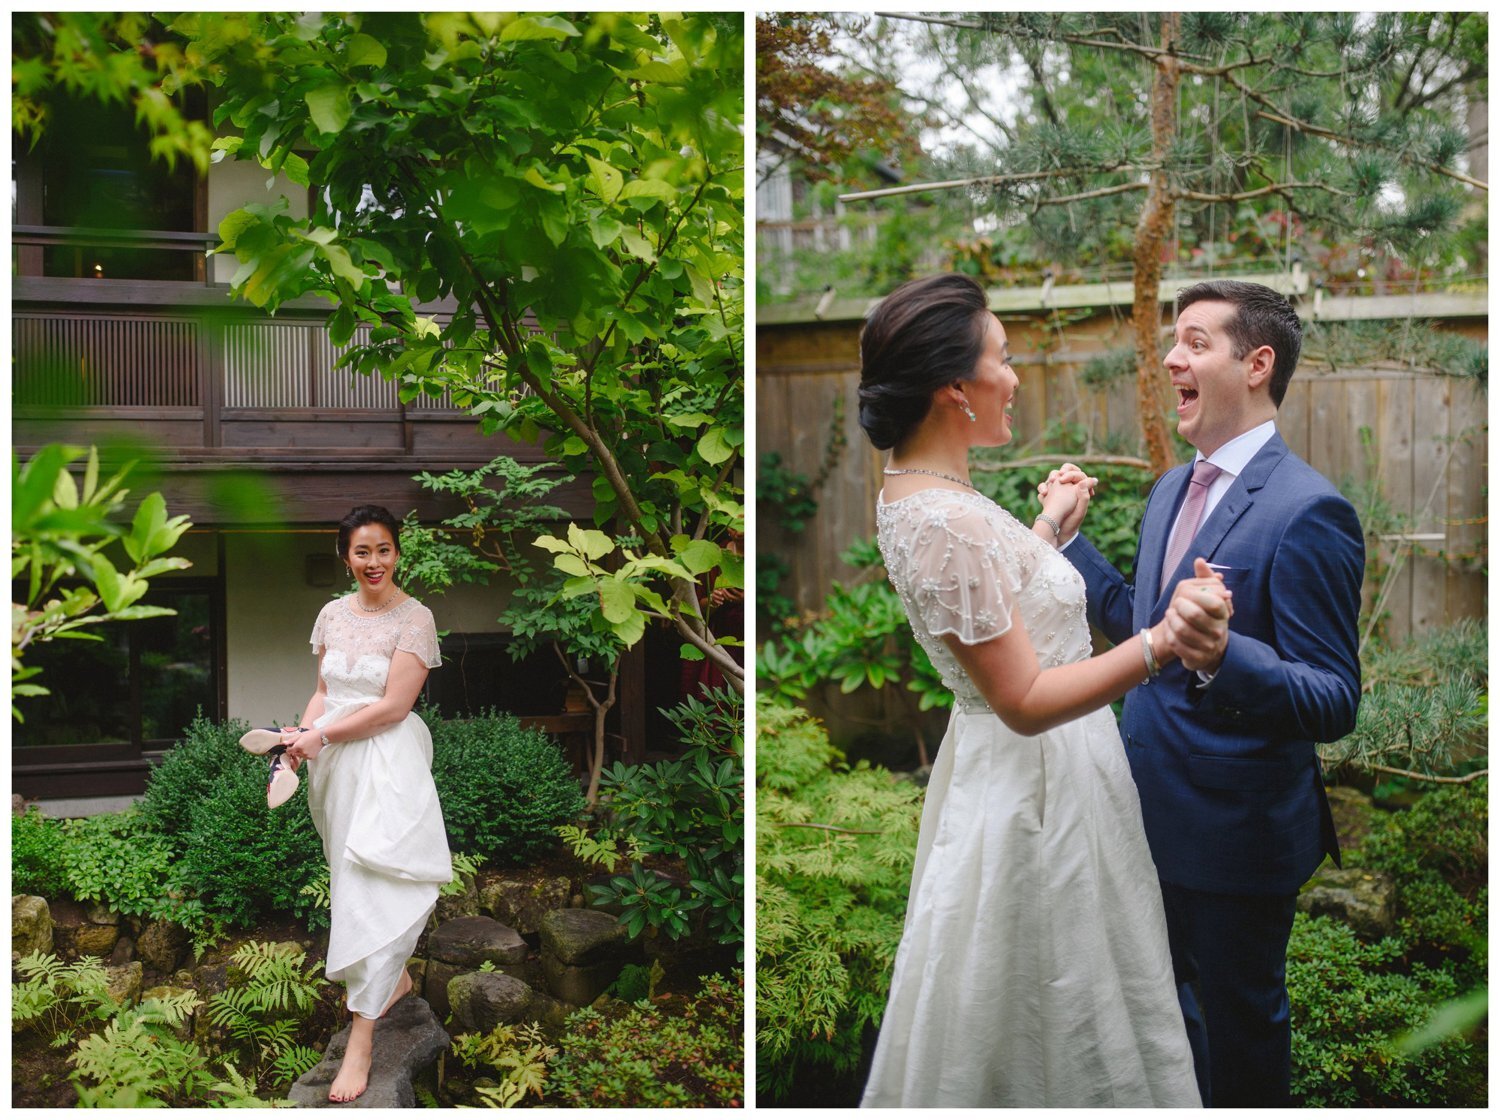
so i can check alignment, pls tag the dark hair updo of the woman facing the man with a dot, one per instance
(923, 337)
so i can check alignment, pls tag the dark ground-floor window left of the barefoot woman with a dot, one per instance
(133, 692)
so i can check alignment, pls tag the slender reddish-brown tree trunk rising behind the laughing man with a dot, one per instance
(1153, 385)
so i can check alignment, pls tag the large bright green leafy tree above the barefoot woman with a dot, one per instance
(574, 187)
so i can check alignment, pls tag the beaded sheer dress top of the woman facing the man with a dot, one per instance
(964, 566)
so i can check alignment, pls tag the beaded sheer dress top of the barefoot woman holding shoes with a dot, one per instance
(358, 648)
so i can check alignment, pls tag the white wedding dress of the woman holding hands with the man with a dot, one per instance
(1034, 968)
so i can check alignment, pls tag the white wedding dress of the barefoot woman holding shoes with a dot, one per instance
(374, 804)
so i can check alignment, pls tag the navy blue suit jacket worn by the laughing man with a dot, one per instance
(1229, 779)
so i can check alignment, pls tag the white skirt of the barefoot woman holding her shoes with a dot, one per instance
(377, 810)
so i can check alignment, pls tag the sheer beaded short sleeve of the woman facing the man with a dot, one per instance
(962, 575)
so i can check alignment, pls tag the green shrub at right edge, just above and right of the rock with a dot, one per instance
(1439, 855)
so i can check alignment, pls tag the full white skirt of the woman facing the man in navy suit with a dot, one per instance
(1034, 968)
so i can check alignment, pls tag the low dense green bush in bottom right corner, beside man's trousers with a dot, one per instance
(1351, 1008)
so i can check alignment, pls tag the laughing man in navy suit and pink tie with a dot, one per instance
(1223, 756)
